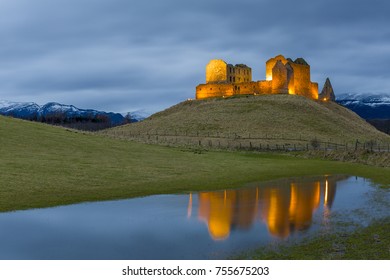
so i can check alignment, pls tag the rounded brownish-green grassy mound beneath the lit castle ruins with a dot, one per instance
(267, 119)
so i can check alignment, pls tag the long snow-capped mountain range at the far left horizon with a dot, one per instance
(33, 111)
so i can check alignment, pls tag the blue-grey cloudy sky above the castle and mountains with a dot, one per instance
(126, 55)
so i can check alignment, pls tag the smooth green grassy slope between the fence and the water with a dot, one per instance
(41, 166)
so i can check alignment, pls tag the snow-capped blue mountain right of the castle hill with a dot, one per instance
(367, 106)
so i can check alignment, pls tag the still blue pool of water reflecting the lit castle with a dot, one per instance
(205, 225)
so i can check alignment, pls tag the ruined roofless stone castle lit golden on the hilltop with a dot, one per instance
(283, 76)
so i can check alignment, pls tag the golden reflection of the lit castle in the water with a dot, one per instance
(284, 208)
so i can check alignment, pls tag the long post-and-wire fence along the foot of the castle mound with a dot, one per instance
(237, 141)
